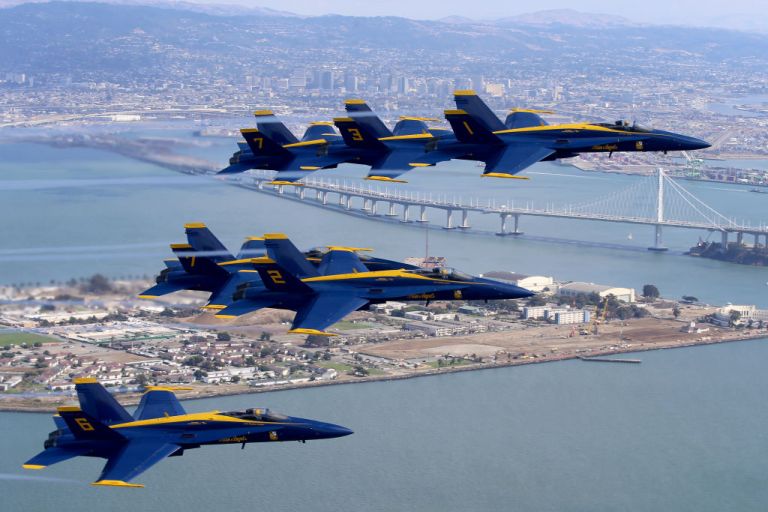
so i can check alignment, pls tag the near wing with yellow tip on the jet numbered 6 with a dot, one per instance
(132, 459)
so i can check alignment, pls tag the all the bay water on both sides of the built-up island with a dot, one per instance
(683, 431)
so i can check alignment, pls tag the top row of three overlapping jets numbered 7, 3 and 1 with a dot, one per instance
(477, 134)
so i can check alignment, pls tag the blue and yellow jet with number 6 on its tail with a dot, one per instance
(159, 428)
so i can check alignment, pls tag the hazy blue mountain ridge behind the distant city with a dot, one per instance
(102, 40)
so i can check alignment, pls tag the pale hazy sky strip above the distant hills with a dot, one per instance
(748, 14)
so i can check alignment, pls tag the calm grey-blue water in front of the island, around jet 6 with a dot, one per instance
(683, 431)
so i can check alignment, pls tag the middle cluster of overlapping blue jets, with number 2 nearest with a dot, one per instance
(321, 285)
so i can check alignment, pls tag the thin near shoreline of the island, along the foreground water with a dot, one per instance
(133, 398)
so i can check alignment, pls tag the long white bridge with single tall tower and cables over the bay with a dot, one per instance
(658, 201)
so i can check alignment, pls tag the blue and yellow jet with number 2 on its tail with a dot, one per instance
(341, 284)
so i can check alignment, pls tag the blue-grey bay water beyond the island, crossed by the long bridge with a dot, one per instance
(80, 211)
